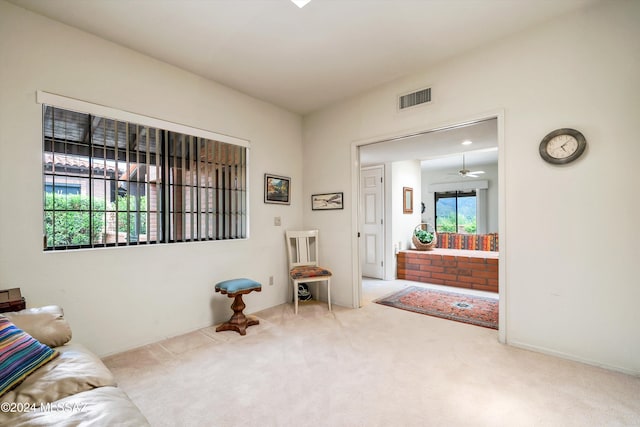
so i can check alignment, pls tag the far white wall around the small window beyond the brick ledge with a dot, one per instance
(445, 175)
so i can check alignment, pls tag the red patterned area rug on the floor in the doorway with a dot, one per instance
(481, 311)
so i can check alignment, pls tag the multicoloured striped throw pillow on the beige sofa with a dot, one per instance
(20, 355)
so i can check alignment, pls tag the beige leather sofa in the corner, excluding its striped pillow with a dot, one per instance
(73, 389)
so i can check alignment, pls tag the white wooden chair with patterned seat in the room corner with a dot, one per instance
(302, 247)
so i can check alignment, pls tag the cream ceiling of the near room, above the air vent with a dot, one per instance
(302, 59)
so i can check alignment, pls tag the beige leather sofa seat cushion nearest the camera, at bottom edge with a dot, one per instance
(100, 407)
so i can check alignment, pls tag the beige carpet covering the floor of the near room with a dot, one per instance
(376, 366)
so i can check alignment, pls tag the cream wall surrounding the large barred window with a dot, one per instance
(120, 298)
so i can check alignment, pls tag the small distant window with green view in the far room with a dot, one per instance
(456, 211)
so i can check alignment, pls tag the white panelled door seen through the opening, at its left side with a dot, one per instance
(372, 209)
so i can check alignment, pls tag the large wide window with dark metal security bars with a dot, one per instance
(111, 183)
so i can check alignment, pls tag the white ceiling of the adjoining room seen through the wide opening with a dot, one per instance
(441, 149)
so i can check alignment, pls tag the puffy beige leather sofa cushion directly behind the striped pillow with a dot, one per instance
(46, 324)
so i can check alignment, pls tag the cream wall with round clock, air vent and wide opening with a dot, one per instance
(570, 233)
